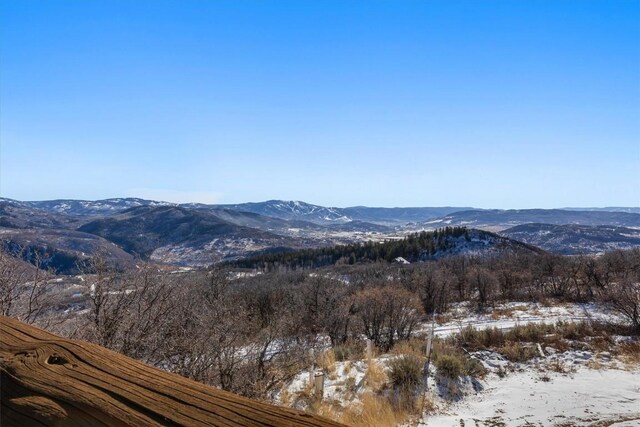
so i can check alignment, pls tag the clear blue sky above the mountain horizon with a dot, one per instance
(507, 104)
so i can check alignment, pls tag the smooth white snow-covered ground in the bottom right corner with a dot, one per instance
(586, 397)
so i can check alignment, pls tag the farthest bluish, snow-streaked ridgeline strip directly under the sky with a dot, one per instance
(321, 215)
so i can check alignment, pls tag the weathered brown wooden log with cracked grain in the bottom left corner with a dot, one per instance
(50, 380)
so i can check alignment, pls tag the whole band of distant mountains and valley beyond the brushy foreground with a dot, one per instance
(65, 232)
